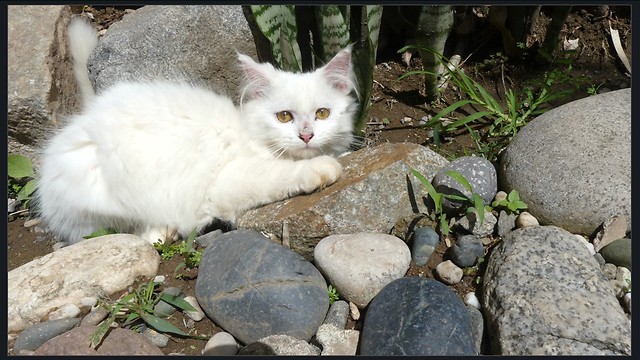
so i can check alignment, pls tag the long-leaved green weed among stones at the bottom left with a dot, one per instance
(137, 307)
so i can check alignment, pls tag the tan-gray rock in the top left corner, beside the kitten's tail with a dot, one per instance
(41, 88)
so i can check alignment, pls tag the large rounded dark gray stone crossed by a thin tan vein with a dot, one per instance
(253, 288)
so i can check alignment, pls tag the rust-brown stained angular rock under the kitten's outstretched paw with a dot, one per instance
(375, 191)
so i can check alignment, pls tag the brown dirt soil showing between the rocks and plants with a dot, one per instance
(396, 110)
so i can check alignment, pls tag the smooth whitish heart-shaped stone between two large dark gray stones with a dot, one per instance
(360, 265)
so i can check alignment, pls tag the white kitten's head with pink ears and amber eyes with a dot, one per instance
(301, 115)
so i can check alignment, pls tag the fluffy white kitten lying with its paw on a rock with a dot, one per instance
(156, 158)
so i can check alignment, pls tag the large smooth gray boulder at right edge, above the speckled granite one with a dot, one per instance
(572, 165)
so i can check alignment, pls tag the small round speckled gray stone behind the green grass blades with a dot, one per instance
(479, 172)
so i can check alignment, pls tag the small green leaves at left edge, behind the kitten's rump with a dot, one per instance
(22, 179)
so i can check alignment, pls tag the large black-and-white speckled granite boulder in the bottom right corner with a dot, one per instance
(544, 294)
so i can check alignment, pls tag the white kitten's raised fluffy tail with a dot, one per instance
(83, 39)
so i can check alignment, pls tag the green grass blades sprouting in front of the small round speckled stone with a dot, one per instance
(473, 203)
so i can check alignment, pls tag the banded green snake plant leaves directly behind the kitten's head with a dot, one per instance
(297, 38)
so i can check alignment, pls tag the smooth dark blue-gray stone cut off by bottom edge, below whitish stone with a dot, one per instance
(417, 316)
